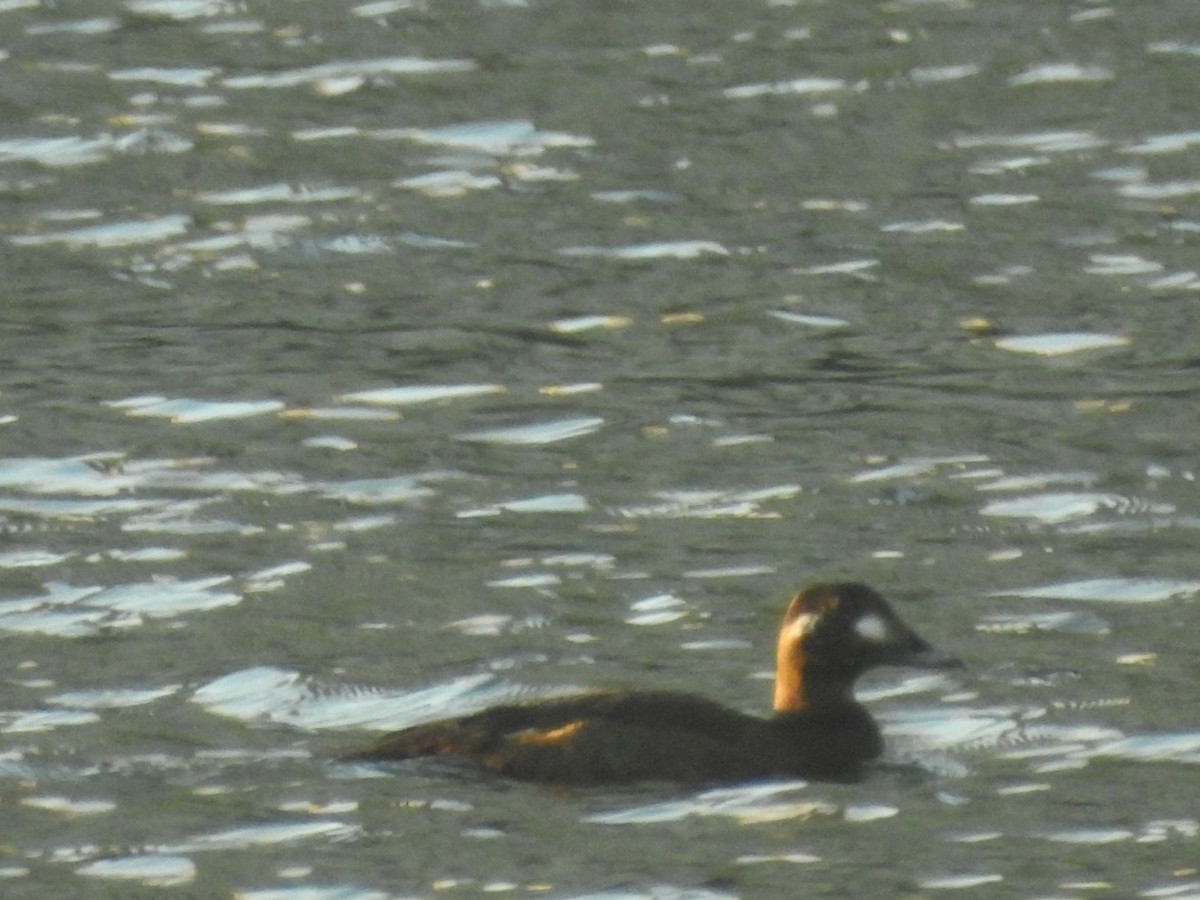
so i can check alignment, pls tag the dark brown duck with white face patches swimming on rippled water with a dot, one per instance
(831, 635)
